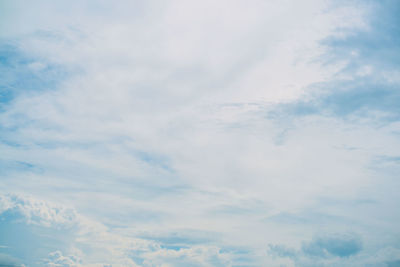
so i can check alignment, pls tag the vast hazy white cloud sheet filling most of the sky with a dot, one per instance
(161, 126)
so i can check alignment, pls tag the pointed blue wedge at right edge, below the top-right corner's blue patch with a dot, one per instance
(361, 97)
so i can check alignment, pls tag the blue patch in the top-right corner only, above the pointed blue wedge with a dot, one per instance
(378, 44)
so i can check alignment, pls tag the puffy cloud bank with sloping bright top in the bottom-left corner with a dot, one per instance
(39, 233)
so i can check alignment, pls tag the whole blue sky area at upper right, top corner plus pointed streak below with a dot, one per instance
(368, 84)
